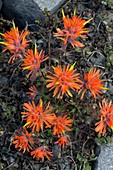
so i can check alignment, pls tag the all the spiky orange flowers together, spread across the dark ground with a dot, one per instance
(62, 81)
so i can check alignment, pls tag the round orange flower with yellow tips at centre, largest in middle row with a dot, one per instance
(62, 80)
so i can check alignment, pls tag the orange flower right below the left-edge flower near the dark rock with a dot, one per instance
(33, 60)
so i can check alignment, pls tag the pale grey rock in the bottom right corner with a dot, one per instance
(105, 159)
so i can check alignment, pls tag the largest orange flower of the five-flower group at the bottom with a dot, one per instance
(36, 116)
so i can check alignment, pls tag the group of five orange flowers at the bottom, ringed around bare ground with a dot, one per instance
(36, 117)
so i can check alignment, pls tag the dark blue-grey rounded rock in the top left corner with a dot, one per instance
(23, 11)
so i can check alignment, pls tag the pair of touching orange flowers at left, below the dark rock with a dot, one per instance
(16, 43)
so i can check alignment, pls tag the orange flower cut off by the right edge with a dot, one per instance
(106, 118)
